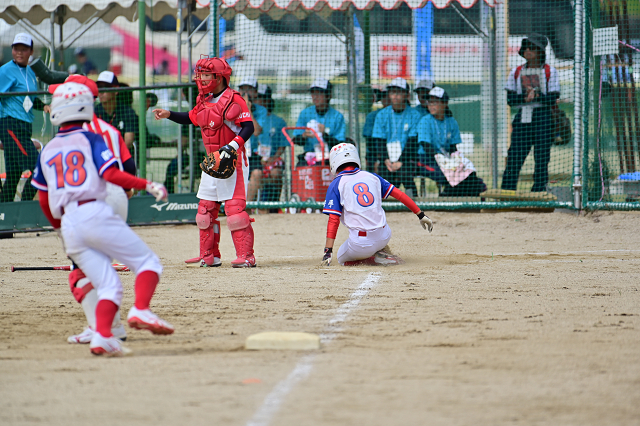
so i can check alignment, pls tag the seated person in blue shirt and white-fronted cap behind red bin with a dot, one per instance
(328, 123)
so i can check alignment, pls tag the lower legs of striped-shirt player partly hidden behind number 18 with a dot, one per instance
(85, 294)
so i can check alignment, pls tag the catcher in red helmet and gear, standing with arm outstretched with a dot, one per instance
(226, 123)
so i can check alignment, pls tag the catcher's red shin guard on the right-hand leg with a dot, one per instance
(239, 224)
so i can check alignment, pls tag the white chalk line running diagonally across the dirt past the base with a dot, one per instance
(276, 397)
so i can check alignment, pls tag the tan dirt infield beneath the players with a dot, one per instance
(494, 319)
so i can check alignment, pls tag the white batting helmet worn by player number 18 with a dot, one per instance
(71, 102)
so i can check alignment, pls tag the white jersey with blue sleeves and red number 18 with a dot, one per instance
(70, 167)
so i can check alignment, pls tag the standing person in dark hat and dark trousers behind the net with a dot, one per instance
(533, 88)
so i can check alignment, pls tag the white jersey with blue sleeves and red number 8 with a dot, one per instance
(357, 196)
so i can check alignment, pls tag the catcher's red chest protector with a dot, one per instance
(210, 117)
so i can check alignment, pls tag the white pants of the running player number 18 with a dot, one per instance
(93, 235)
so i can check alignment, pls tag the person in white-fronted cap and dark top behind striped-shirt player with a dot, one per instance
(118, 114)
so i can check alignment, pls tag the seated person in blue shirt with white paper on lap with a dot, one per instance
(439, 135)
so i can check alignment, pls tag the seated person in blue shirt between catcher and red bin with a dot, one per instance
(265, 163)
